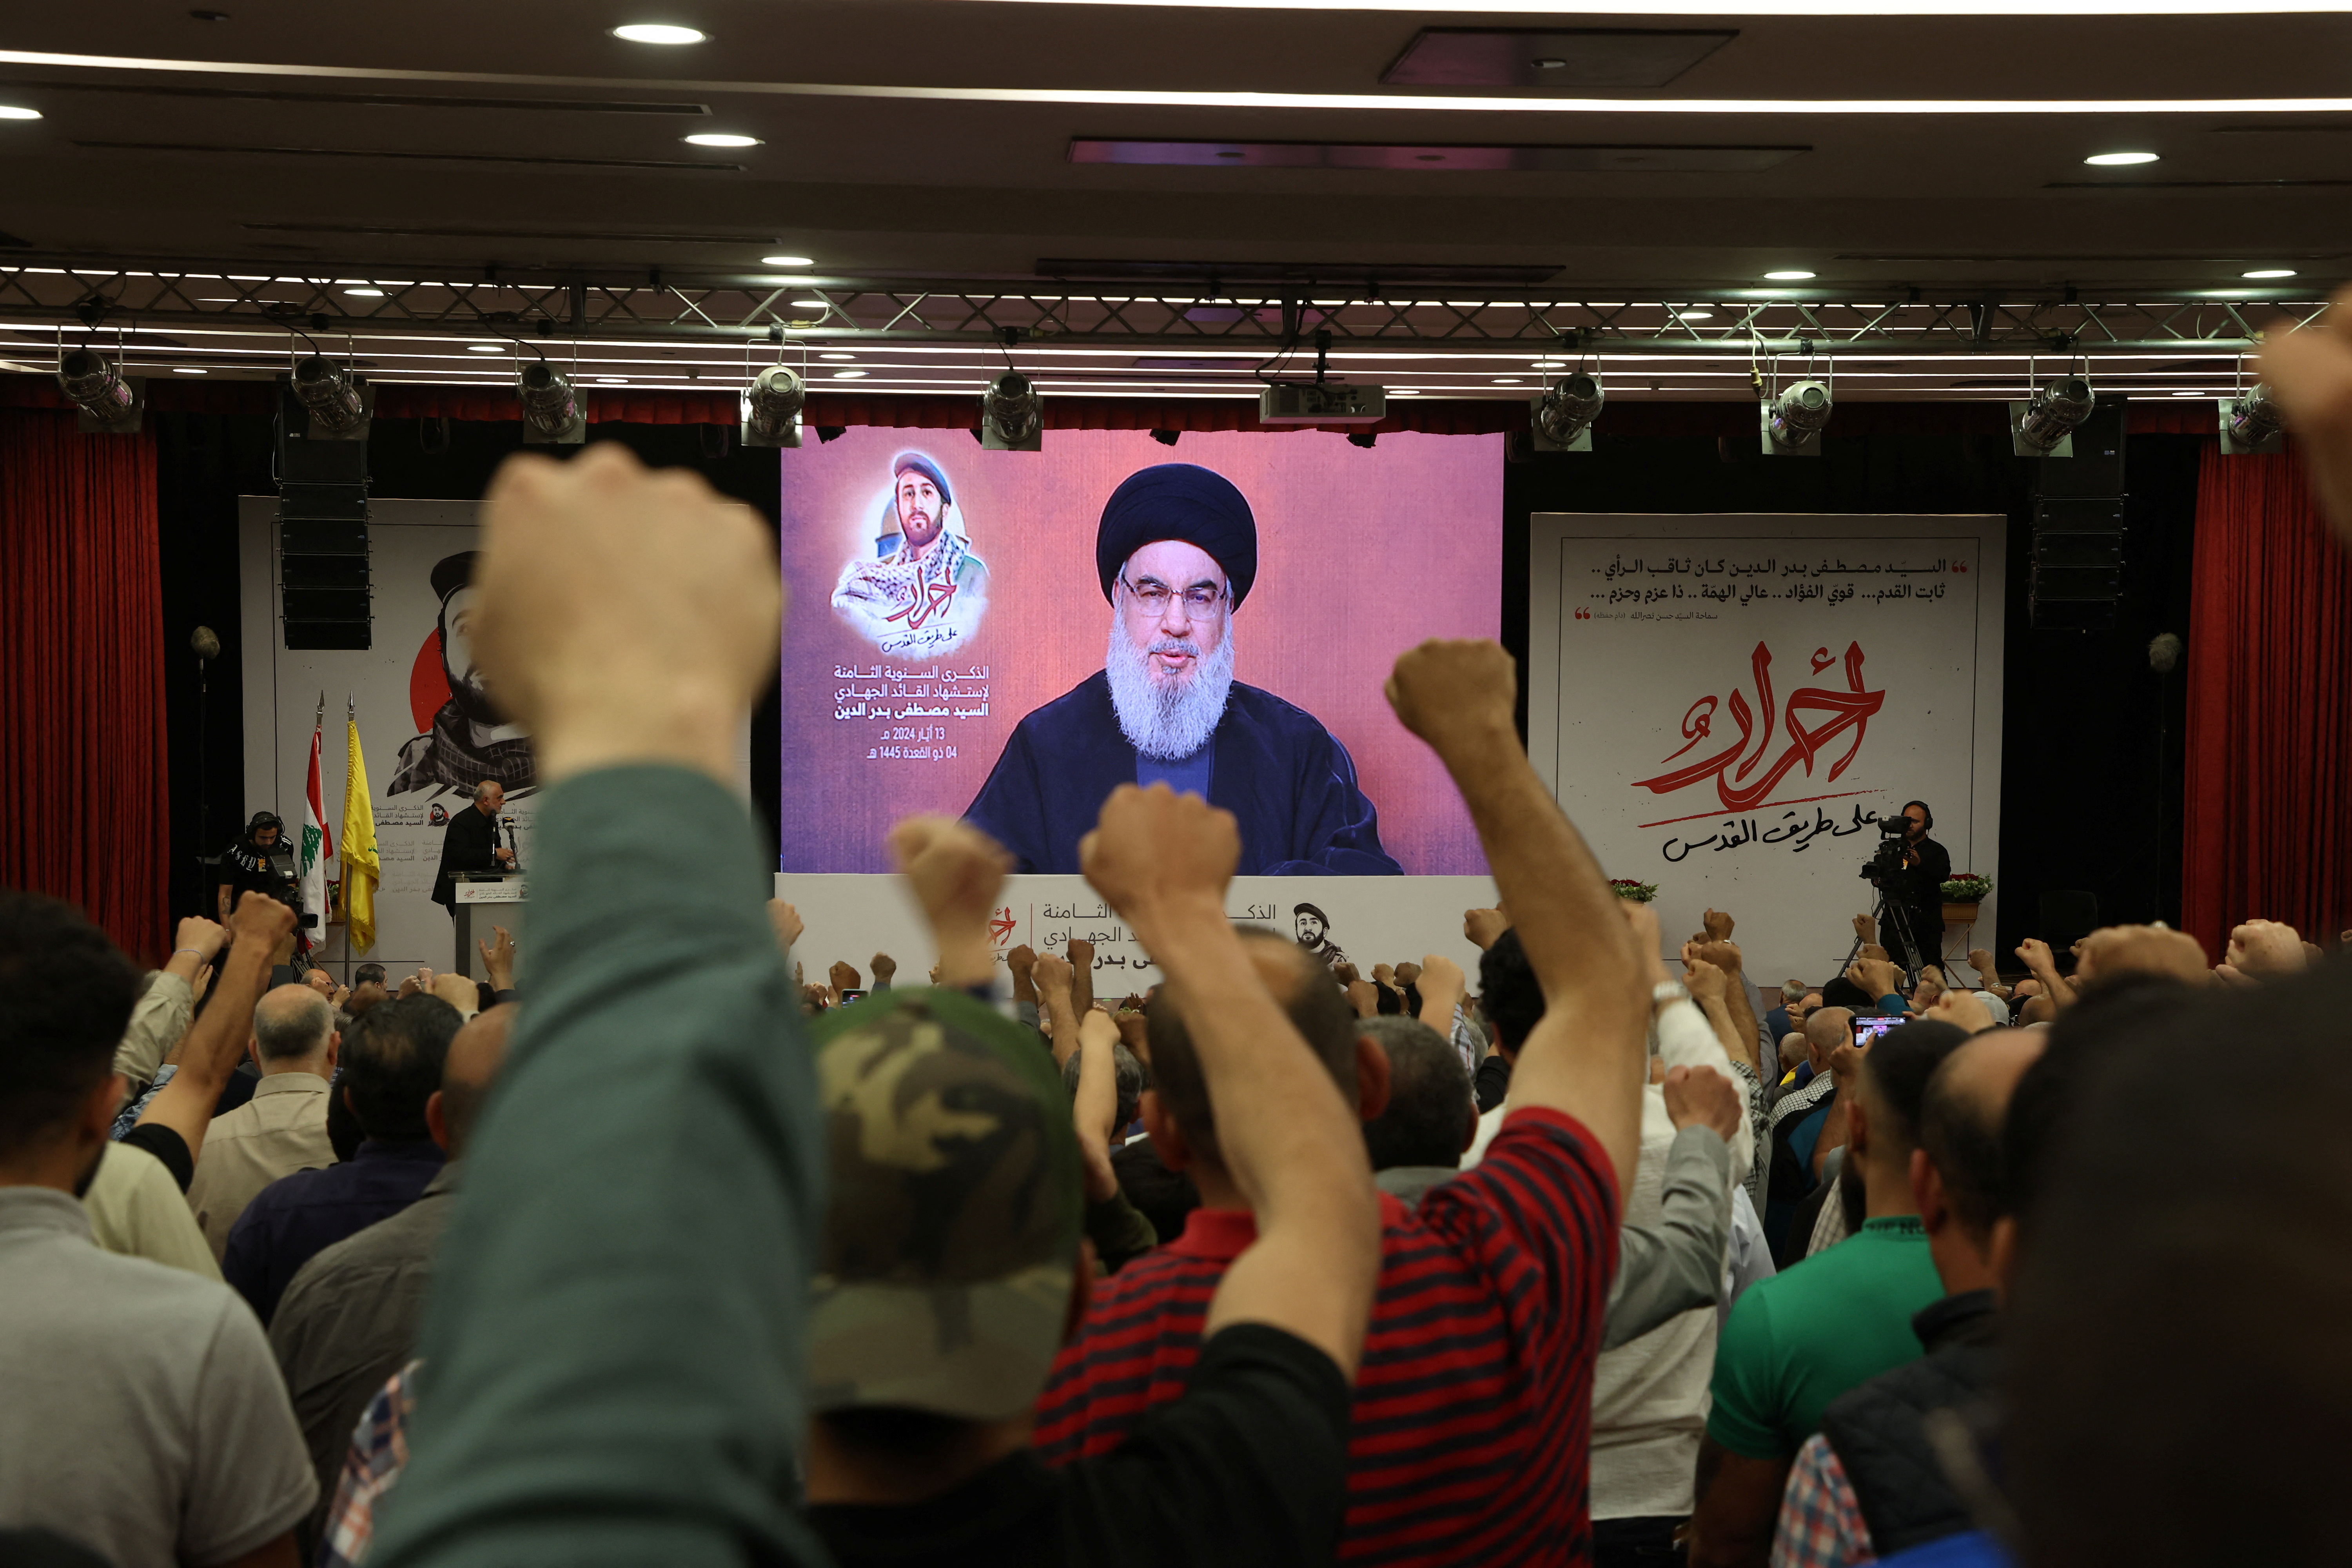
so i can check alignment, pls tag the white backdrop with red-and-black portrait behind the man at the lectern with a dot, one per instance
(399, 688)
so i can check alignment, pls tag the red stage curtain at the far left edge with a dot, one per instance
(83, 798)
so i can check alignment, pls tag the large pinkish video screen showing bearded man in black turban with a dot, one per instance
(1220, 624)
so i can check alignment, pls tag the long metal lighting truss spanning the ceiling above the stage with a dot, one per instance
(1212, 319)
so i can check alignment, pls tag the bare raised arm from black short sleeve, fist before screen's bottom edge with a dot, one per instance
(1292, 1146)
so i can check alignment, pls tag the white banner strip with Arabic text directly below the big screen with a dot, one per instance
(1372, 920)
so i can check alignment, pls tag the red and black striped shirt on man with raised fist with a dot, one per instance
(1474, 1409)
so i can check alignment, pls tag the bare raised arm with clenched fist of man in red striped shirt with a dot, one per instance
(1586, 1057)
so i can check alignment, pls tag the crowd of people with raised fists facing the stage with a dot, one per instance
(1598, 1254)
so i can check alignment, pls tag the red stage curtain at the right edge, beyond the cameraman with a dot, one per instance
(2271, 709)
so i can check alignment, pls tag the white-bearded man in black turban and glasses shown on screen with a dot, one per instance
(1177, 556)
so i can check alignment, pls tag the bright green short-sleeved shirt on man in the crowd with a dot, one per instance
(1803, 1339)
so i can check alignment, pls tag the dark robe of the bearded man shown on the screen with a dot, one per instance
(1276, 768)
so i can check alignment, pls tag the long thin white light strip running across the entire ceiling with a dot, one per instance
(1100, 98)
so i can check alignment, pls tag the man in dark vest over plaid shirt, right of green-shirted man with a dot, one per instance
(1869, 1485)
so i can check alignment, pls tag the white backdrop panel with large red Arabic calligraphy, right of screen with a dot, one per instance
(1728, 706)
